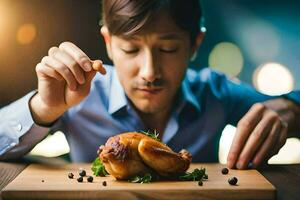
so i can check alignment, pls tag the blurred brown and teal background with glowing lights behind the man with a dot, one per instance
(254, 41)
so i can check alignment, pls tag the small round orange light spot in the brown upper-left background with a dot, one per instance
(26, 34)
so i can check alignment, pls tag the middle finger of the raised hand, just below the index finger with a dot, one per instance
(71, 64)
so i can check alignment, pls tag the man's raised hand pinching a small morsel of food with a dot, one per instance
(64, 80)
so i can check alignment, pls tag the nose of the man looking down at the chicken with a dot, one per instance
(149, 70)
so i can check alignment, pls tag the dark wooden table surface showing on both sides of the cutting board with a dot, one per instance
(286, 178)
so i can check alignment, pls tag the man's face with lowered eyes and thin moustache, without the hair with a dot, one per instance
(151, 65)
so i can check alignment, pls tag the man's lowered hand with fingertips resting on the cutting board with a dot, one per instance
(260, 134)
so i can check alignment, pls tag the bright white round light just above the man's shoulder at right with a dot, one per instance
(273, 79)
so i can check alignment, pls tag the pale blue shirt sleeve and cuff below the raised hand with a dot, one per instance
(18, 132)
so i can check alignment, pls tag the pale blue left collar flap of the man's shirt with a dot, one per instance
(117, 98)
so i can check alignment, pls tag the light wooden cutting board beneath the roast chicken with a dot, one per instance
(52, 182)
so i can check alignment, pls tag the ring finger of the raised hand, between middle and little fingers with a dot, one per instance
(63, 70)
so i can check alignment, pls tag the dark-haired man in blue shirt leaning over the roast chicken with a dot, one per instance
(149, 88)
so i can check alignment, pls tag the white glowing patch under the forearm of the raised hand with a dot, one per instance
(52, 146)
